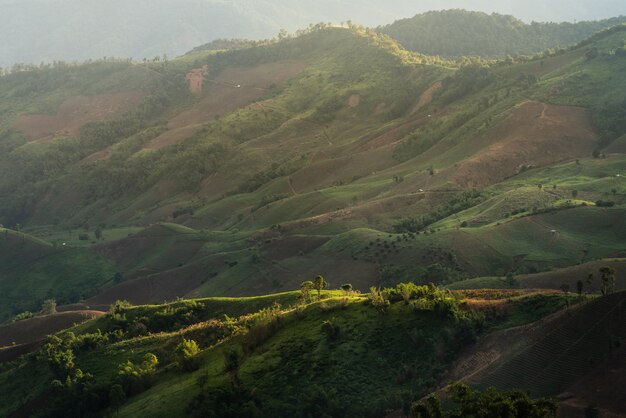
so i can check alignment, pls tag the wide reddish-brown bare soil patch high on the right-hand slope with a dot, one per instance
(532, 134)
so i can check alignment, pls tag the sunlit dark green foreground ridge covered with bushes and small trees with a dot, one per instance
(341, 355)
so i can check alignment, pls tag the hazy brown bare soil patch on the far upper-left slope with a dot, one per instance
(75, 112)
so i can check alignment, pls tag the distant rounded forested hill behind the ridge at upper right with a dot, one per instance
(454, 33)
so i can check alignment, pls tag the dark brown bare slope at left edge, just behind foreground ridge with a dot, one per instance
(35, 329)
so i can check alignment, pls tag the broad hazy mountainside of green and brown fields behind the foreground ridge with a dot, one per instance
(335, 152)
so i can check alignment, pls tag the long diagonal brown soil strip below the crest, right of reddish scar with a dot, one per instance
(232, 89)
